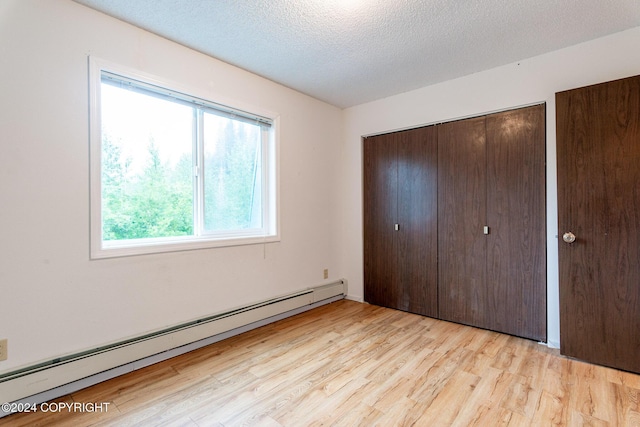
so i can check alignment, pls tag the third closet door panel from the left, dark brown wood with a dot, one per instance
(462, 198)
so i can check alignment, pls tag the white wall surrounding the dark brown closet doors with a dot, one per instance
(529, 81)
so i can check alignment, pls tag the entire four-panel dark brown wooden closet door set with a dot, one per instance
(454, 221)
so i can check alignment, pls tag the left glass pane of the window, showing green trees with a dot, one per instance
(147, 166)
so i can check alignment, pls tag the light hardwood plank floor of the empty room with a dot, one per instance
(355, 364)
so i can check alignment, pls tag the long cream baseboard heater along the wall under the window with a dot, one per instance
(60, 376)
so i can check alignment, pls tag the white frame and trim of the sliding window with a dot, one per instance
(270, 208)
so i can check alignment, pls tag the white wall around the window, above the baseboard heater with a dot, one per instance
(53, 299)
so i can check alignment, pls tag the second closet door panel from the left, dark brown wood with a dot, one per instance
(418, 220)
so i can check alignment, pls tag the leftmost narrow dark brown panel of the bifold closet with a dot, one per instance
(380, 182)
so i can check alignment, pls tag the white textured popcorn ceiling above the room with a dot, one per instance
(347, 52)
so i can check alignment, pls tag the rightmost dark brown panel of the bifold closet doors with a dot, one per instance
(516, 216)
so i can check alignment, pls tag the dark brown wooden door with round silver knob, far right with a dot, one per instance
(598, 147)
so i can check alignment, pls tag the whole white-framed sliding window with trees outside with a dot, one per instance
(171, 171)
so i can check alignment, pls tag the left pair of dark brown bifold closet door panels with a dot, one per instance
(400, 220)
